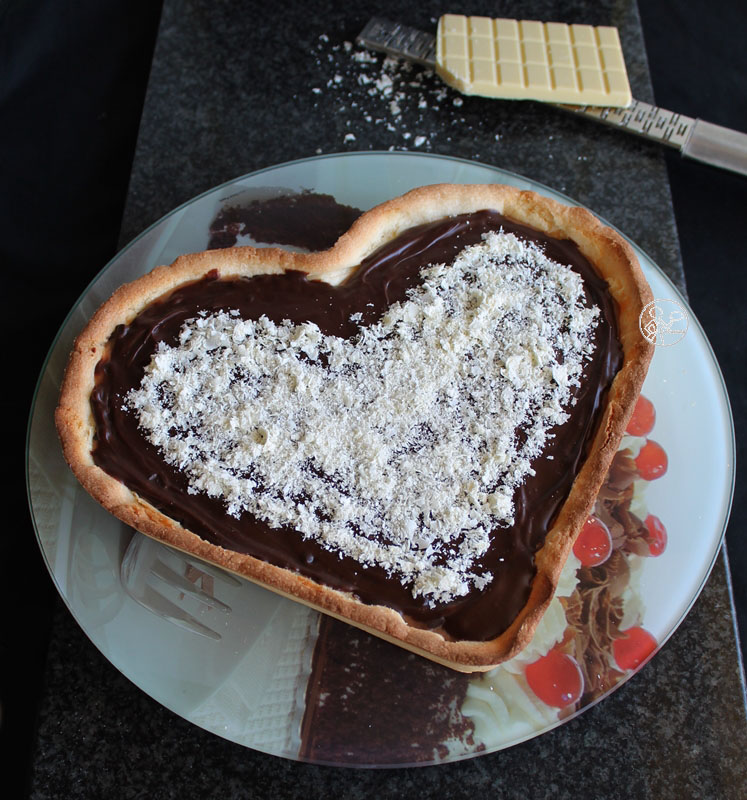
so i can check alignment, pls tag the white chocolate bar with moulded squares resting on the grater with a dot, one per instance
(528, 60)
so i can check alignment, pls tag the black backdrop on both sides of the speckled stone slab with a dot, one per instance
(72, 80)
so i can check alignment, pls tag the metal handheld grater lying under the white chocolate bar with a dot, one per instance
(694, 138)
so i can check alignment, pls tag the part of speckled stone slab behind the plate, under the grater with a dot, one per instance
(230, 94)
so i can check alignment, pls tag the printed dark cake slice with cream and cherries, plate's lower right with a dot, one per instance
(366, 697)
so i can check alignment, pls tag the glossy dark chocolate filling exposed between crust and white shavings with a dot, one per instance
(384, 278)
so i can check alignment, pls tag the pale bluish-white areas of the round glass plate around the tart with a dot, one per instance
(249, 685)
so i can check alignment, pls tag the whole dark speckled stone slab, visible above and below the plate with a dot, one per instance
(231, 91)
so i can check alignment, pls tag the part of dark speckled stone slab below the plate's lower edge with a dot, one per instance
(676, 730)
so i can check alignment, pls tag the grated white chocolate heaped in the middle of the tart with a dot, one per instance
(399, 447)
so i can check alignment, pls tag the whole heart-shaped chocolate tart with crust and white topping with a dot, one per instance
(405, 431)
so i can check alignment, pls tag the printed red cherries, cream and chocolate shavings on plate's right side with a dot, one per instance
(593, 635)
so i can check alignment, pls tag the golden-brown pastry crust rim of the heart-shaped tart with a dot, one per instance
(613, 258)
